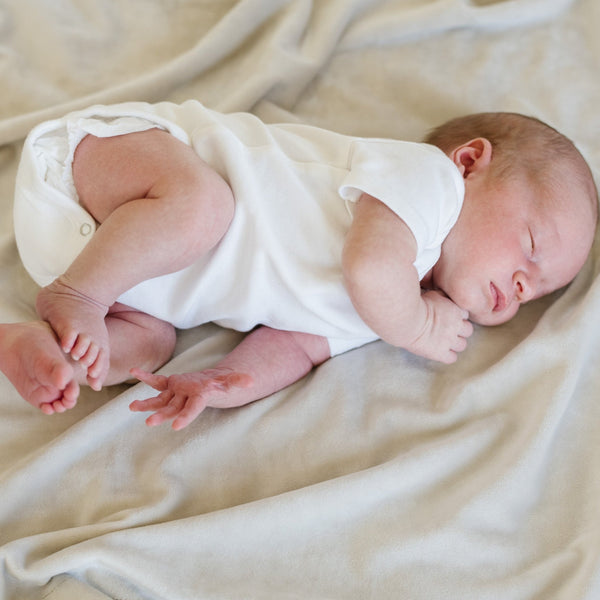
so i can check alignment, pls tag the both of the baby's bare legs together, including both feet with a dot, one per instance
(158, 183)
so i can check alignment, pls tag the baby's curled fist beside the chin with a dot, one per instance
(446, 329)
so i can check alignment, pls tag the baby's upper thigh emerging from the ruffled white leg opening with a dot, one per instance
(110, 171)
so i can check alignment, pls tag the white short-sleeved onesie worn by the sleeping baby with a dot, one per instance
(279, 263)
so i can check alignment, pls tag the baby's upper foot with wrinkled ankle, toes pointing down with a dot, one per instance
(78, 321)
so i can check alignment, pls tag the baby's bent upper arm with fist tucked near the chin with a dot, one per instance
(384, 286)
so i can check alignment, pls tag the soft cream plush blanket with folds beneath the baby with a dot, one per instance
(379, 475)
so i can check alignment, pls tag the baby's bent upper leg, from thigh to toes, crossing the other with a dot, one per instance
(160, 207)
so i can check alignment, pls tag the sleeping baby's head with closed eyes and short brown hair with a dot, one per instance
(529, 216)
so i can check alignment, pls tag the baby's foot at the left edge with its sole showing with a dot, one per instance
(34, 363)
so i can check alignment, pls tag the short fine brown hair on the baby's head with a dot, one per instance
(520, 145)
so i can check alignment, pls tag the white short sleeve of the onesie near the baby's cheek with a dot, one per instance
(416, 181)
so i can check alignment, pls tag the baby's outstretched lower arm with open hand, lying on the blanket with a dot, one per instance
(266, 361)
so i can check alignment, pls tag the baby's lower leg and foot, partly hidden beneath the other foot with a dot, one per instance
(48, 379)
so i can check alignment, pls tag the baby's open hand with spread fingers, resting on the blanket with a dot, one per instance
(183, 397)
